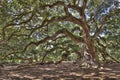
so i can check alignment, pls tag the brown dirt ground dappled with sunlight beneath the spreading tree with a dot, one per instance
(63, 71)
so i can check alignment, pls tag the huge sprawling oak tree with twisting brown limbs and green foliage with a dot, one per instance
(46, 28)
